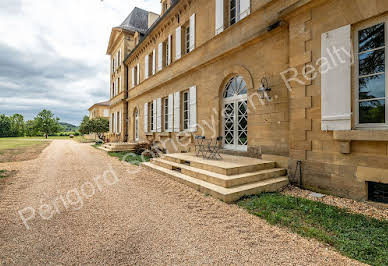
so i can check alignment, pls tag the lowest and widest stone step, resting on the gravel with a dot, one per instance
(225, 194)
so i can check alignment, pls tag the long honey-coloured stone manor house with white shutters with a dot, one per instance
(291, 81)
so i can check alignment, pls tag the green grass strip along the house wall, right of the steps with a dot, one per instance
(353, 235)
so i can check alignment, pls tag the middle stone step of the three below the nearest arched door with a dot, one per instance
(226, 181)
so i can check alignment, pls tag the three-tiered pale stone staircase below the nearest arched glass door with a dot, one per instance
(228, 179)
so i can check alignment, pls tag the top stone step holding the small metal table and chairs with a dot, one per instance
(229, 165)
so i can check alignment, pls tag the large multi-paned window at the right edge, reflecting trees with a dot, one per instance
(372, 84)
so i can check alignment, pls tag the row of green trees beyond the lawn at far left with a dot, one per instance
(45, 123)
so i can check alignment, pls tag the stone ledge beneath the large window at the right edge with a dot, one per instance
(365, 135)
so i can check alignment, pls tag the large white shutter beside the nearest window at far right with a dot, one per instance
(336, 82)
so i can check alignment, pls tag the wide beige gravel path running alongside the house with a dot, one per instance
(143, 218)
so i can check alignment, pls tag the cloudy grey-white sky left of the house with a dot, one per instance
(53, 54)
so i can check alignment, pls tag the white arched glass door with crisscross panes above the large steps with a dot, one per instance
(235, 115)
